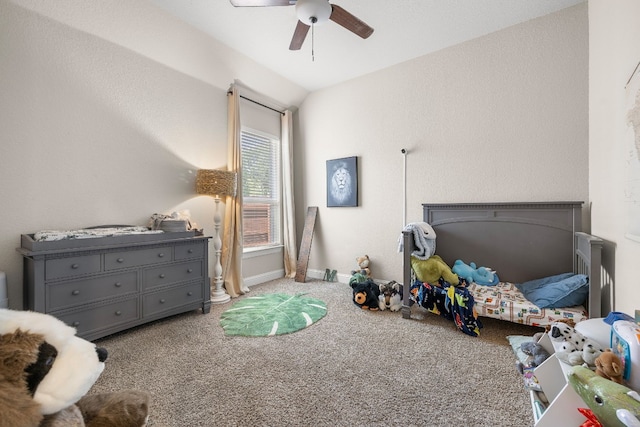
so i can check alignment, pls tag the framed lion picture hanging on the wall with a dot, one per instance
(342, 182)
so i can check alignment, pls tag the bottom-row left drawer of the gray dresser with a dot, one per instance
(91, 319)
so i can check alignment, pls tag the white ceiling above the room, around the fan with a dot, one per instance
(404, 29)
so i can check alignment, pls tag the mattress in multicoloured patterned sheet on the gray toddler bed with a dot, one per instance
(505, 302)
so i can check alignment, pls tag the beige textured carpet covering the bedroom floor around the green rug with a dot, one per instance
(350, 368)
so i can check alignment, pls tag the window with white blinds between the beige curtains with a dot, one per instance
(261, 194)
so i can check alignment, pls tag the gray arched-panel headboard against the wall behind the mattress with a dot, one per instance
(521, 241)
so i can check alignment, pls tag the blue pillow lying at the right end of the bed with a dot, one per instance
(562, 290)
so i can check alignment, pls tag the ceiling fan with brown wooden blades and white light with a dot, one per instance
(312, 12)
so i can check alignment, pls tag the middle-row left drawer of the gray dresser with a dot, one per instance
(69, 294)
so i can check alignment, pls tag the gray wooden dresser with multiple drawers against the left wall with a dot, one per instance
(114, 283)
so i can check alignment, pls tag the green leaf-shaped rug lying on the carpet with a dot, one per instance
(271, 314)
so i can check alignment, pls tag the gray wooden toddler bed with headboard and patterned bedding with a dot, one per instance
(522, 242)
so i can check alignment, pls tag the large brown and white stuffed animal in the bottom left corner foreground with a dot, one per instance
(45, 372)
